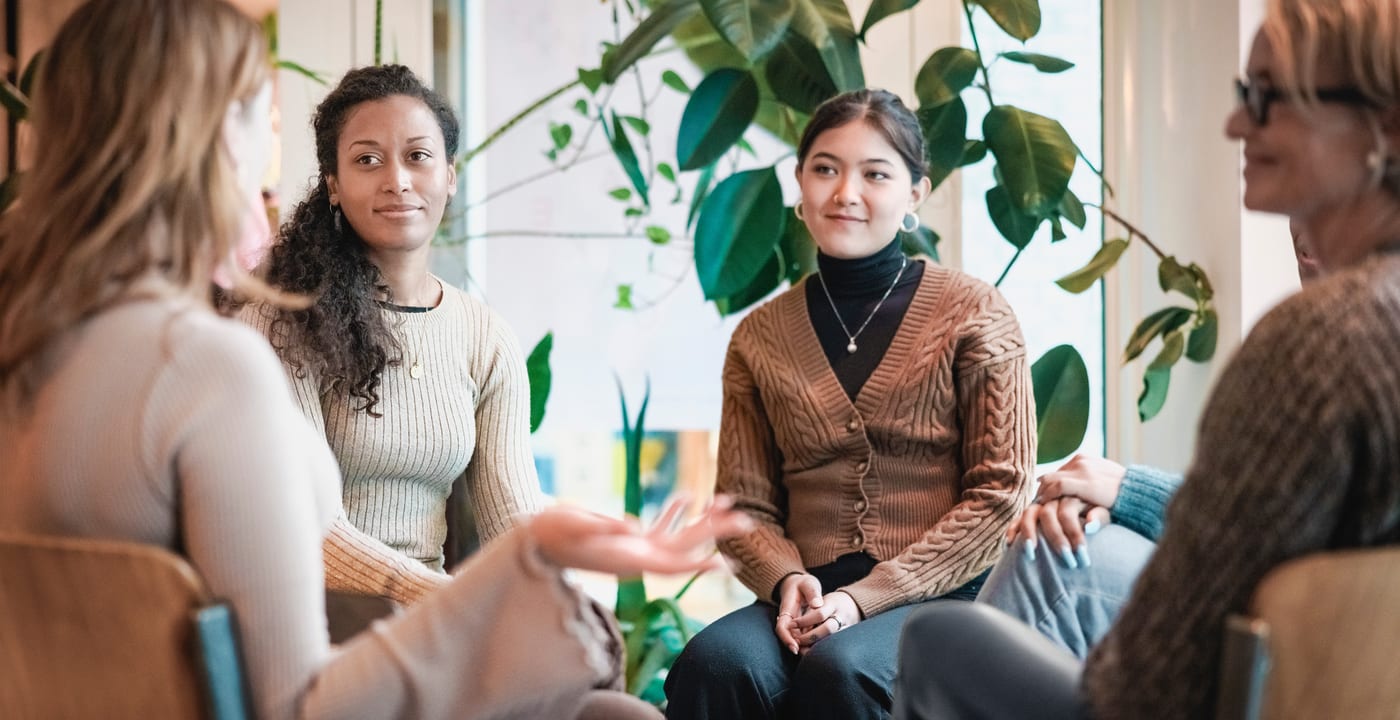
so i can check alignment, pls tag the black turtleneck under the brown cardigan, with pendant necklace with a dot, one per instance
(856, 288)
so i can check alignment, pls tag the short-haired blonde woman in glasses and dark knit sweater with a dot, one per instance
(1300, 445)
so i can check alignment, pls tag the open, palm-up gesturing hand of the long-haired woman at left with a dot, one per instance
(570, 537)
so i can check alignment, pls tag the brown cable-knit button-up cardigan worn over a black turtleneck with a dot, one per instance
(925, 471)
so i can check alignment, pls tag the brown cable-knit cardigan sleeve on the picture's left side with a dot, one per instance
(751, 470)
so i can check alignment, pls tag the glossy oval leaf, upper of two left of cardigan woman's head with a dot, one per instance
(716, 117)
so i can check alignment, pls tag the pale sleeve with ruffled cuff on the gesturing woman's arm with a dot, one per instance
(257, 487)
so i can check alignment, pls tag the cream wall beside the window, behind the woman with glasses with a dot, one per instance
(1168, 71)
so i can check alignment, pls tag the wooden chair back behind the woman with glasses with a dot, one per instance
(1322, 641)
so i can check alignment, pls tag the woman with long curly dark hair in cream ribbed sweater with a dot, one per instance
(414, 383)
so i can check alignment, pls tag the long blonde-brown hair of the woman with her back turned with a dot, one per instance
(132, 176)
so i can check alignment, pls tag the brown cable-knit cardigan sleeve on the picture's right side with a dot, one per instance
(999, 453)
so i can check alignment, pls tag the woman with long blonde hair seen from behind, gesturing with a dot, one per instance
(131, 411)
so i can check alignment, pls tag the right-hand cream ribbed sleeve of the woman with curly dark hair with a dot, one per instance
(502, 478)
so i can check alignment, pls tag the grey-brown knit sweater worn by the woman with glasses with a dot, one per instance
(1298, 453)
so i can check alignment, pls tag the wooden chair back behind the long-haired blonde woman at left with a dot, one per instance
(113, 630)
